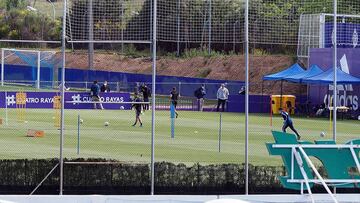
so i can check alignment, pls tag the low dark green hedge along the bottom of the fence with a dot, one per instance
(21, 176)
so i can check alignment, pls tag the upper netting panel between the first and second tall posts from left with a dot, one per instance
(110, 20)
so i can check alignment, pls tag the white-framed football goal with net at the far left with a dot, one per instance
(35, 59)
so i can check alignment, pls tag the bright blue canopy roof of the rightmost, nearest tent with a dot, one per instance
(327, 77)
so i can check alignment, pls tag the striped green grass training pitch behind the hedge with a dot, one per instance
(196, 136)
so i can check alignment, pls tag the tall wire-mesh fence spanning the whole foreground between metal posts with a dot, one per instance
(197, 144)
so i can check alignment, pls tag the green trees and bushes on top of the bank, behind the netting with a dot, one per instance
(271, 22)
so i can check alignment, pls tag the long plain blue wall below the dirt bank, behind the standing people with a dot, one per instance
(127, 81)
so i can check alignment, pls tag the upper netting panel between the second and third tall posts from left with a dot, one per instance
(200, 21)
